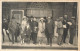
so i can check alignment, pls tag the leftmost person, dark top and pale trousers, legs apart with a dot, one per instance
(5, 29)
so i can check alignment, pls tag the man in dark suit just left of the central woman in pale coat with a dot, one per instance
(34, 30)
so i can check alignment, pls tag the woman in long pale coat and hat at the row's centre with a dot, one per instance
(41, 31)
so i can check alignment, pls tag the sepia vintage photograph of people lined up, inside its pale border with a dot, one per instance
(40, 25)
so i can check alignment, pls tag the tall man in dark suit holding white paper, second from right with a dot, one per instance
(66, 27)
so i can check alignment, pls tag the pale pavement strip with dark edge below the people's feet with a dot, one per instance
(9, 45)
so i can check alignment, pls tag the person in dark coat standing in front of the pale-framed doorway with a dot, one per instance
(12, 29)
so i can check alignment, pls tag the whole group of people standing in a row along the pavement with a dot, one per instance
(35, 31)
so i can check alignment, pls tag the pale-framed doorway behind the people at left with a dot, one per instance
(17, 14)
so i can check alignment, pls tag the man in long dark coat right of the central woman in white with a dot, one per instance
(49, 30)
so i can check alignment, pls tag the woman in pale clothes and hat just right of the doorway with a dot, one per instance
(23, 29)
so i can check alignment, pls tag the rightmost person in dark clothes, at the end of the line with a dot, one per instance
(72, 30)
